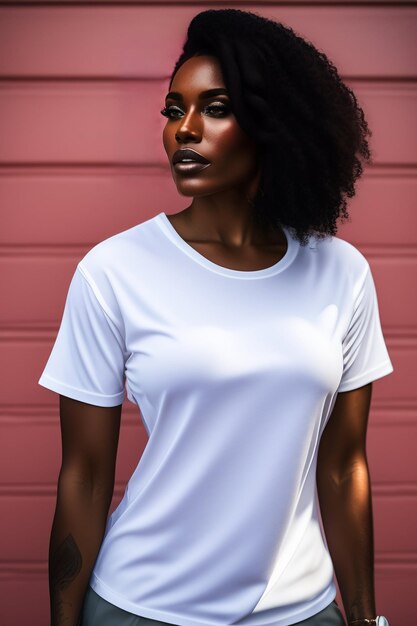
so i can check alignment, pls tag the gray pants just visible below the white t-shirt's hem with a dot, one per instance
(98, 612)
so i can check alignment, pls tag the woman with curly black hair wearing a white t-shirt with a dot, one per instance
(249, 336)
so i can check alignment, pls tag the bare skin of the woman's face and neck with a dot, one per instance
(218, 223)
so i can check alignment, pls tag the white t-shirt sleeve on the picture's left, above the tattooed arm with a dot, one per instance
(87, 361)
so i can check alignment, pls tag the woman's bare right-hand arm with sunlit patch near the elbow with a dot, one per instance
(344, 491)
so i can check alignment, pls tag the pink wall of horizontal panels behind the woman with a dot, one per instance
(81, 158)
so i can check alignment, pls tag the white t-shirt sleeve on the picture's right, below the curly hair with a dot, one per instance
(365, 355)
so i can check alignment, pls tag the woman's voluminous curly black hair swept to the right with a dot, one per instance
(288, 97)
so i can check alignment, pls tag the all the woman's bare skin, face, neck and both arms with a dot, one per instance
(218, 224)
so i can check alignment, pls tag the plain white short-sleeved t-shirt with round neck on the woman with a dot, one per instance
(235, 373)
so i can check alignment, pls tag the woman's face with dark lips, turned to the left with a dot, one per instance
(207, 125)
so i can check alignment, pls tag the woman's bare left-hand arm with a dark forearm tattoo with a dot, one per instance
(90, 436)
